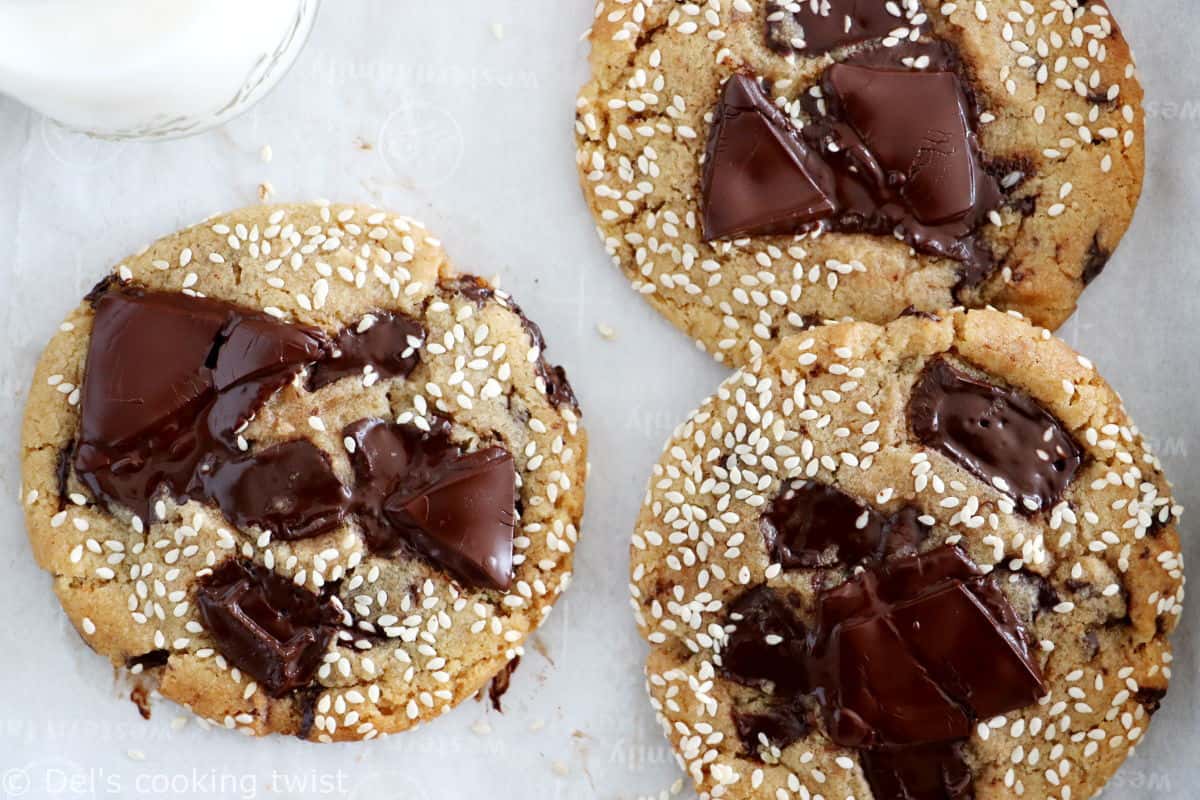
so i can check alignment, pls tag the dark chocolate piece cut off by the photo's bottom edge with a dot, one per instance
(937, 772)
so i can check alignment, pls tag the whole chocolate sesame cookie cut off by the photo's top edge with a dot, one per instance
(757, 167)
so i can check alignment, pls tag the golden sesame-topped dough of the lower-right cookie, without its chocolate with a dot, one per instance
(830, 406)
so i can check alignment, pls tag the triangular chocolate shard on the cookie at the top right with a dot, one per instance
(760, 178)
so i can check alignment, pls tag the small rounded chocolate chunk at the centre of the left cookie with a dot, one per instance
(290, 490)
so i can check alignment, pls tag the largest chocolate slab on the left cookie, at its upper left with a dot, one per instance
(170, 381)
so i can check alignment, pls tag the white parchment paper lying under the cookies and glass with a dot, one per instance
(423, 109)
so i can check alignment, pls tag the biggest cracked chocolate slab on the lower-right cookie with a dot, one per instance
(915, 652)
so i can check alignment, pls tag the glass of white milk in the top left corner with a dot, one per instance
(148, 69)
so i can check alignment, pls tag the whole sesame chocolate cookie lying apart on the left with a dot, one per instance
(302, 473)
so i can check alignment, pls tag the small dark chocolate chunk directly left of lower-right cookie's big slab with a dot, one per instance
(766, 642)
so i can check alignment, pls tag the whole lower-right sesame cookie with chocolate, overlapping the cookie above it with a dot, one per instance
(915, 561)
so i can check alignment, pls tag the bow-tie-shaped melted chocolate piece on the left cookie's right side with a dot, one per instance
(418, 489)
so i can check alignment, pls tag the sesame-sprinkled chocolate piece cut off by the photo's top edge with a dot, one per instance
(817, 28)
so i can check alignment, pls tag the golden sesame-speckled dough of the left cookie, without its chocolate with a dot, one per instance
(437, 642)
